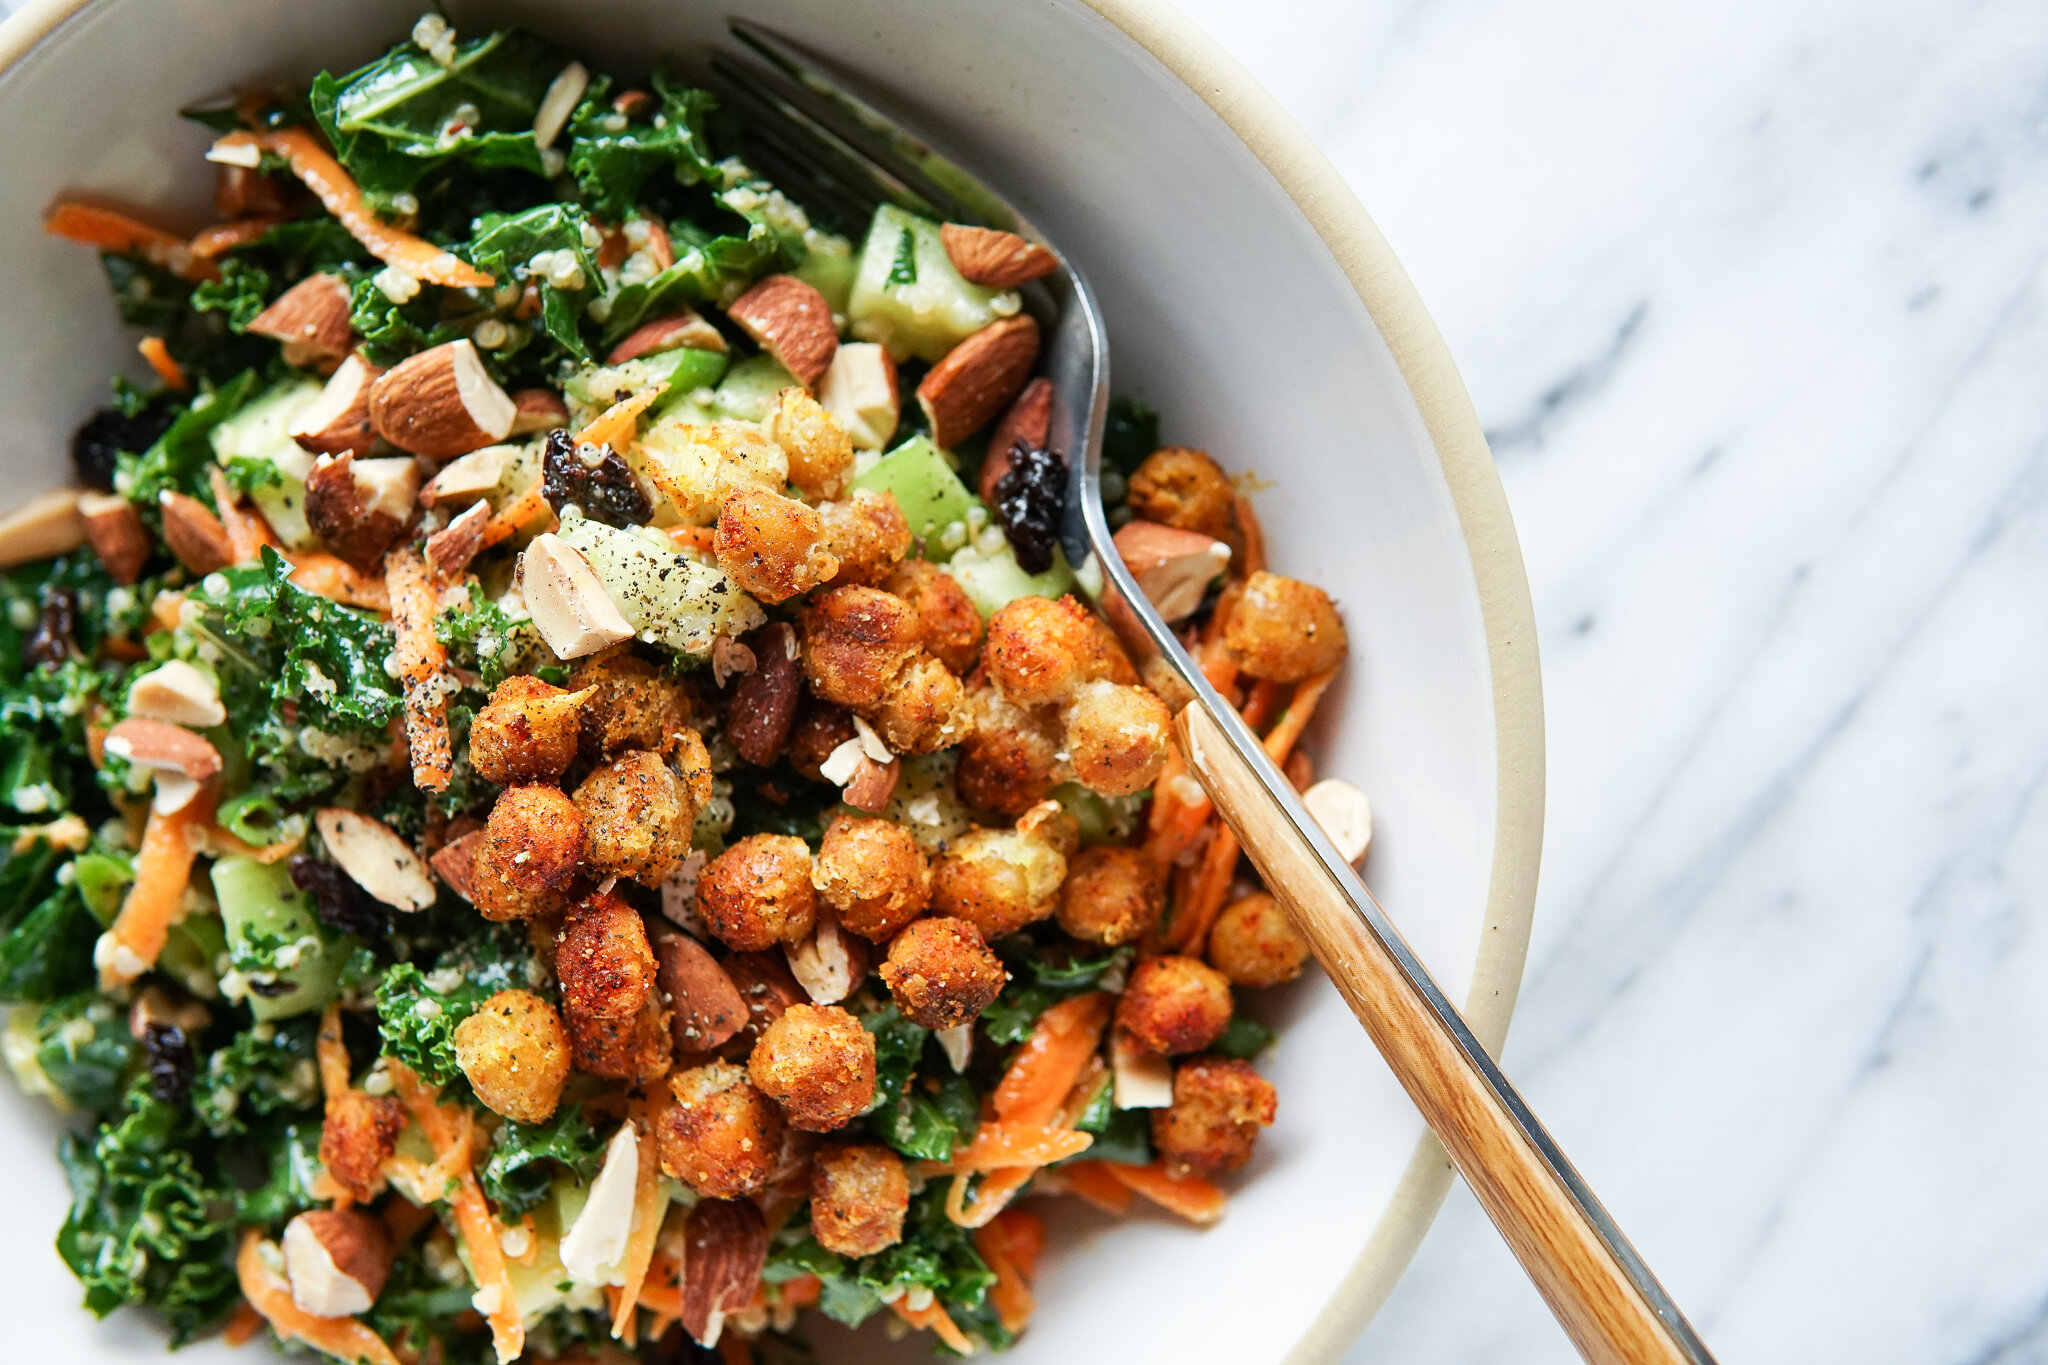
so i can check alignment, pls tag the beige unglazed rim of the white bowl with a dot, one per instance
(1506, 609)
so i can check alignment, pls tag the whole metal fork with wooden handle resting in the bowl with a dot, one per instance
(835, 150)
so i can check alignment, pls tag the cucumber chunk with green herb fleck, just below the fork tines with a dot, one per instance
(912, 300)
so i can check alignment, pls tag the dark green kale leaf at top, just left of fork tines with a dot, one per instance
(615, 157)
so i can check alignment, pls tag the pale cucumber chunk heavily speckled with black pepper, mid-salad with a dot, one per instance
(665, 597)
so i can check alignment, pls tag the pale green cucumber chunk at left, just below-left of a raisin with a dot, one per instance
(275, 938)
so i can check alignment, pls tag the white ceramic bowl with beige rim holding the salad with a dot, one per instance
(1250, 300)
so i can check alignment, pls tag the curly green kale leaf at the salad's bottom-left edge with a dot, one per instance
(146, 1227)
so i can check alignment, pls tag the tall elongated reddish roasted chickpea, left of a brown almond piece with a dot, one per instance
(609, 1000)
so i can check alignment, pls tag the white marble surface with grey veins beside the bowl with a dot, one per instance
(1750, 298)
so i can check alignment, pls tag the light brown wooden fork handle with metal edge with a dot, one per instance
(1603, 1294)
